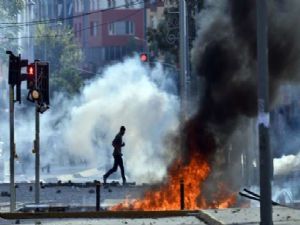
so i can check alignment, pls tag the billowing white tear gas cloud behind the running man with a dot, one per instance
(81, 129)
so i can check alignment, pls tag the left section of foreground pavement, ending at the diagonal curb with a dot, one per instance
(105, 218)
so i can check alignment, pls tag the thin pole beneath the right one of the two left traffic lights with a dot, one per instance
(37, 154)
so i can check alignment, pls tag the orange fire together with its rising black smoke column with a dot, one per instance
(224, 55)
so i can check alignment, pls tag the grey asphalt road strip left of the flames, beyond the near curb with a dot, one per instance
(70, 194)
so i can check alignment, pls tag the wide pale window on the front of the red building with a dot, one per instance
(121, 28)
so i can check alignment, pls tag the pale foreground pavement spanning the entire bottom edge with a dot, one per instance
(235, 216)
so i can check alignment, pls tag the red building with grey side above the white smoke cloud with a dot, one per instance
(108, 34)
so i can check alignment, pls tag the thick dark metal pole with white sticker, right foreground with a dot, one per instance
(265, 158)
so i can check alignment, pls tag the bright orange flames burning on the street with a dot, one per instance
(168, 195)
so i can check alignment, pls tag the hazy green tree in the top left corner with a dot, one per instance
(9, 10)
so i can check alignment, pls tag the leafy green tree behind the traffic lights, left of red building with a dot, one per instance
(59, 48)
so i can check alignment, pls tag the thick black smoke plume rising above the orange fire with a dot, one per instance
(224, 55)
